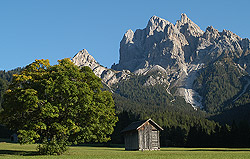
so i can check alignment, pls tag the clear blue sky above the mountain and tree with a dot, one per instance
(57, 29)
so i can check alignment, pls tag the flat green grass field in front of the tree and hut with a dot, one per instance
(11, 150)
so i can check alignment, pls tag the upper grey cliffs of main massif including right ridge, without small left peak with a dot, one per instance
(175, 46)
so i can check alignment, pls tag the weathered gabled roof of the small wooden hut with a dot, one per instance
(138, 124)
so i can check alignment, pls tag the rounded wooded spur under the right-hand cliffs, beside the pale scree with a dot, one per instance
(219, 83)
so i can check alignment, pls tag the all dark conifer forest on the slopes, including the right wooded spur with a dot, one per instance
(183, 126)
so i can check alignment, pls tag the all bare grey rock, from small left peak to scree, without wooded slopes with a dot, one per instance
(173, 54)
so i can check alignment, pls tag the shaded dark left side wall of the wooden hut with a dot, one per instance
(131, 140)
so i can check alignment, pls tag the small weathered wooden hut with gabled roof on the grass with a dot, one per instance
(142, 135)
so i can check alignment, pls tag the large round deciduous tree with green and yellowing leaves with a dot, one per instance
(58, 105)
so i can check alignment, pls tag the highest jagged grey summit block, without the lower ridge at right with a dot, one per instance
(161, 42)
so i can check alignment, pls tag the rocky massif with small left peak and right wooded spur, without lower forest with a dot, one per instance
(209, 69)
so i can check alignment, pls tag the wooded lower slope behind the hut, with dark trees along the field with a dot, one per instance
(183, 126)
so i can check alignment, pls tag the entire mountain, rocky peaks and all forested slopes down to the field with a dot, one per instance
(191, 82)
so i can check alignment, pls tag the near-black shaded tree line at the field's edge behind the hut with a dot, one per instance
(191, 133)
